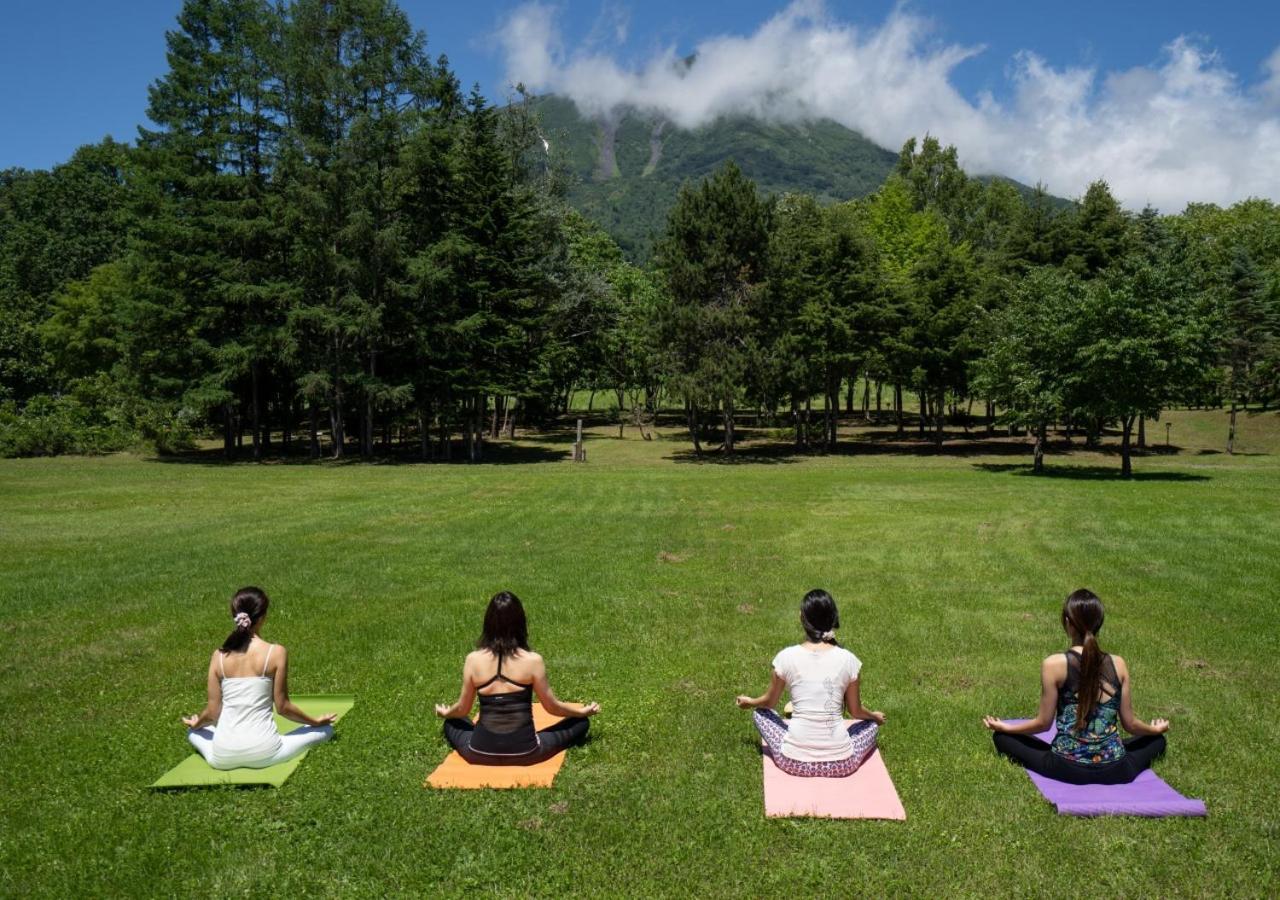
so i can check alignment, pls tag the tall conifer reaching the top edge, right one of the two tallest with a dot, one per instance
(356, 84)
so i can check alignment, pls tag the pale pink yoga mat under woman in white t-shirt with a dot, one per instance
(867, 794)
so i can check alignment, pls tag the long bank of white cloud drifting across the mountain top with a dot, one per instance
(1180, 131)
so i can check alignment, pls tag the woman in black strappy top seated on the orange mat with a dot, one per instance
(506, 675)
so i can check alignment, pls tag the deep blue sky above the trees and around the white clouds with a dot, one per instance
(79, 70)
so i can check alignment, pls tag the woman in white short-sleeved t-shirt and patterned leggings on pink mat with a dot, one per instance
(822, 678)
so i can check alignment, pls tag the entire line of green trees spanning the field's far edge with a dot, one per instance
(322, 243)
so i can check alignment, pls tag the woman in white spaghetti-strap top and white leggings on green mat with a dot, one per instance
(246, 678)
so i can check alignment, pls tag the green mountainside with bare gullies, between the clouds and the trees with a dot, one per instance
(628, 170)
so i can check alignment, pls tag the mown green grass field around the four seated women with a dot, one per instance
(661, 588)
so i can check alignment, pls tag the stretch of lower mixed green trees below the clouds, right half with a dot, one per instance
(961, 290)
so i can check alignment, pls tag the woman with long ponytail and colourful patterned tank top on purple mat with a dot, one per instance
(1089, 696)
